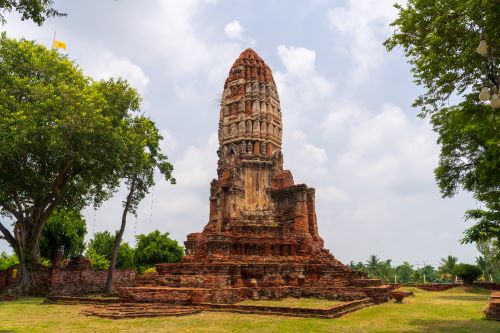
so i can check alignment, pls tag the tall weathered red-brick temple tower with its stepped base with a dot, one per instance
(261, 240)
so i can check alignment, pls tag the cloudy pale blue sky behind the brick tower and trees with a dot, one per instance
(348, 126)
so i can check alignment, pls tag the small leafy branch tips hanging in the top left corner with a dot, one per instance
(35, 10)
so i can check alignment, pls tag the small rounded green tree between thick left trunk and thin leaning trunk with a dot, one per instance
(64, 230)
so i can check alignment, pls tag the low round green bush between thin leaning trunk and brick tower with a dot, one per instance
(155, 248)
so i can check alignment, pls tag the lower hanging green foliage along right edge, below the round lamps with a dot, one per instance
(469, 135)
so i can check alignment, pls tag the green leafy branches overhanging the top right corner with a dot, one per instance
(439, 39)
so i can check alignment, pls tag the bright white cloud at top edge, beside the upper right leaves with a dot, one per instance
(363, 24)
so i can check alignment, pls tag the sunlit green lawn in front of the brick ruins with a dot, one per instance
(455, 310)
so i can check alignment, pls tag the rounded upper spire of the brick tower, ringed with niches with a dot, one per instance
(250, 115)
